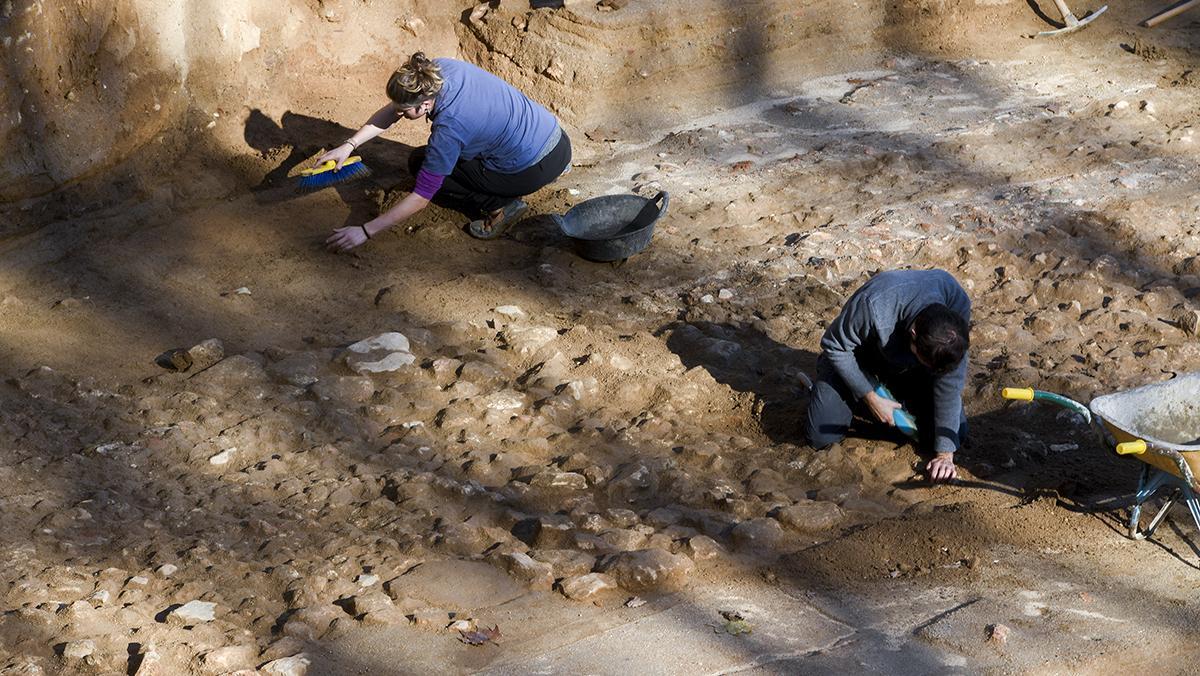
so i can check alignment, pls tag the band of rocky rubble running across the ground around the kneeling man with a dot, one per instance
(489, 441)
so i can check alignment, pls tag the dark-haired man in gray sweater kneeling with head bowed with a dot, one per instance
(907, 330)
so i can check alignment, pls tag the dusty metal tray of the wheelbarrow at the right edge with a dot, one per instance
(1166, 416)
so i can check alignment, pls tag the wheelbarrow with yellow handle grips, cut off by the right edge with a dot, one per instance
(1159, 424)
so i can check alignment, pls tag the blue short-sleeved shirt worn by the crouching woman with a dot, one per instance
(479, 116)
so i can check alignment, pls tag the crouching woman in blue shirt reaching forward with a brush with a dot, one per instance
(489, 147)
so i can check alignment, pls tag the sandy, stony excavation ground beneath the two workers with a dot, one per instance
(559, 436)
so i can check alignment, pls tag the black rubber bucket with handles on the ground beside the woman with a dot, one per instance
(613, 228)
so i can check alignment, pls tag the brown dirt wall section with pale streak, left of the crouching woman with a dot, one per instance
(89, 83)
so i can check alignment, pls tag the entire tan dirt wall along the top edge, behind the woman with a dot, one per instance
(91, 85)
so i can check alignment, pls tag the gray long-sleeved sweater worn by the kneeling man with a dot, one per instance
(878, 319)
